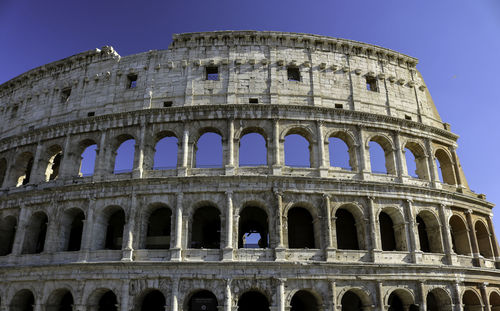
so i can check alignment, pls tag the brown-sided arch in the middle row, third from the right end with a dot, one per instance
(429, 232)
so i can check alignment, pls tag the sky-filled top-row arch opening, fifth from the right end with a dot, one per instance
(297, 151)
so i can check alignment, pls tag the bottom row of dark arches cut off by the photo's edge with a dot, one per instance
(354, 299)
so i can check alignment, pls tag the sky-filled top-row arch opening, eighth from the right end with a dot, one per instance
(166, 152)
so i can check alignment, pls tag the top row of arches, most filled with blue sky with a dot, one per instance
(209, 148)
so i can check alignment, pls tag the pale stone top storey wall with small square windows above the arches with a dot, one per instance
(250, 66)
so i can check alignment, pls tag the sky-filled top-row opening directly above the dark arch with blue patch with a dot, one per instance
(253, 150)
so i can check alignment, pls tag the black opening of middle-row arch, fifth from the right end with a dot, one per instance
(347, 235)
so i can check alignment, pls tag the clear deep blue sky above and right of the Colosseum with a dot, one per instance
(456, 41)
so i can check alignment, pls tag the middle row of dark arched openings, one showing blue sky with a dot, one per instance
(255, 228)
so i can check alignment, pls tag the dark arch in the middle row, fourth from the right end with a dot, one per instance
(392, 229)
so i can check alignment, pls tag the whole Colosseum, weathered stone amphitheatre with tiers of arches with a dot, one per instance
(169, 231)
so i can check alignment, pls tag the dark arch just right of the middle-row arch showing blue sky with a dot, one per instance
(303, 230)
